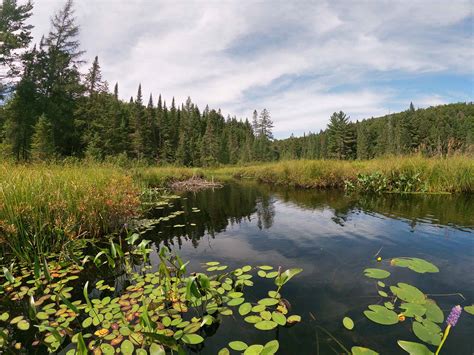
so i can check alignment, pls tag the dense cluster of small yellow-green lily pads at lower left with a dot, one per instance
(55, 308)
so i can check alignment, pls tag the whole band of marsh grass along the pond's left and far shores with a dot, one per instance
(46, 208)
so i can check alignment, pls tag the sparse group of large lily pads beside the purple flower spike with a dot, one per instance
(401, 302)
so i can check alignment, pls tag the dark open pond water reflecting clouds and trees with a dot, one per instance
(333, 237)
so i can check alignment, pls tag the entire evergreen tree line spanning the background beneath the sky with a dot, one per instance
(50, 110)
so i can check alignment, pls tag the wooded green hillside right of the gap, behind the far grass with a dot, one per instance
(435, 131)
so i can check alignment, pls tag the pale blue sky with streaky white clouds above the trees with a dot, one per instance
(302, 60)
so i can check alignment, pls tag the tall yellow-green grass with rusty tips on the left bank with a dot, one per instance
(44, 208)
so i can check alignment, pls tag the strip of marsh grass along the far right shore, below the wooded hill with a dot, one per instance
(455, 174)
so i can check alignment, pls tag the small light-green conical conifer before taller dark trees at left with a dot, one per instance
(42, 145)
